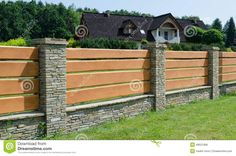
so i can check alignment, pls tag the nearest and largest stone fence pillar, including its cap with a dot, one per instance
(52, 78)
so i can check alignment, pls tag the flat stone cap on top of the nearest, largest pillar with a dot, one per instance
(49, 41)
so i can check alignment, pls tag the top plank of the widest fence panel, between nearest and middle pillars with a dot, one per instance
(79, 53)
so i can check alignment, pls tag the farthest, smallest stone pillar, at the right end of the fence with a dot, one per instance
(213, 71)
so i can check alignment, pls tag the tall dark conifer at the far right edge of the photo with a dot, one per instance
(230, 33)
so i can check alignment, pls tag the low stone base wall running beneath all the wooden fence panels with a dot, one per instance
(32, 125)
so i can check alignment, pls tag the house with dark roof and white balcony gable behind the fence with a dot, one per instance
(162, 29)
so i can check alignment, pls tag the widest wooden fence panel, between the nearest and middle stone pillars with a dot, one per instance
(94, 74)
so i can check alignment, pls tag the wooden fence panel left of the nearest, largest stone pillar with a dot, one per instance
(18, 79)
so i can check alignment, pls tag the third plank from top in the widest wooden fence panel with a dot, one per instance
(93, 79)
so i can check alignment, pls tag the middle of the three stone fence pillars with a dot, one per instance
(158, 81)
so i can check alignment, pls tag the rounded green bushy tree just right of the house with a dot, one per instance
(212, 36)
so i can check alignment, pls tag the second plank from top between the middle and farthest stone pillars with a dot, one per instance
(186, 63)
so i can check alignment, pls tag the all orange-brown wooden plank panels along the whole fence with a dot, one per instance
(96, 74)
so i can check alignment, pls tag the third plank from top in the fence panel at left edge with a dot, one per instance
(18, 86)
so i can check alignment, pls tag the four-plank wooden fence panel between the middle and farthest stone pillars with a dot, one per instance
(186, 69)
